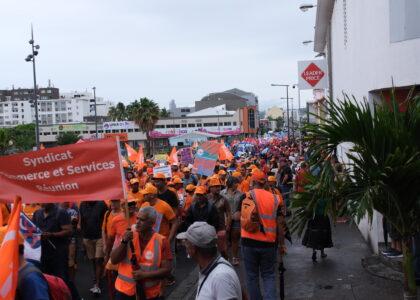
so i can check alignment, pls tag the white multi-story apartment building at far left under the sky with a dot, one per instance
(16, 106)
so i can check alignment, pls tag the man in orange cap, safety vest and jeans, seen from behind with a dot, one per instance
(261, 233)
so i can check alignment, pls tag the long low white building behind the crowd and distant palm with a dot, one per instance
(216, 120)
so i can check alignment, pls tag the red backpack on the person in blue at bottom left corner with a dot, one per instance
(57, 288)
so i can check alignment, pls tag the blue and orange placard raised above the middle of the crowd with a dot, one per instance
(205, 158)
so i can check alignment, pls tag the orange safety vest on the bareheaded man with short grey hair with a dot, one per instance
(149, 260)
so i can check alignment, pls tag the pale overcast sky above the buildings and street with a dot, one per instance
(161, 49)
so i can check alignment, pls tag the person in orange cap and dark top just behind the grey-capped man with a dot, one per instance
(202, 210)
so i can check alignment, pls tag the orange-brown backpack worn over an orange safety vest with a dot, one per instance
(250, 219)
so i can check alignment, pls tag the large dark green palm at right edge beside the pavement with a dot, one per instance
(383, 172)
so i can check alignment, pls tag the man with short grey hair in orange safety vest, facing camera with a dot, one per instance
(144, 259)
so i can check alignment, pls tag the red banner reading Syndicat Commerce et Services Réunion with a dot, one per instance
(78, 172)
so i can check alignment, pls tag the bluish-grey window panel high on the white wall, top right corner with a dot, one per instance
(403, 20)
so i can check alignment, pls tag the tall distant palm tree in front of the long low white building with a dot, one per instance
(145, 113)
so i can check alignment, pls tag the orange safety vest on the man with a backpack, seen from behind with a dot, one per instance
(267, 204)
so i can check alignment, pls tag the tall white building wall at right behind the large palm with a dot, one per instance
(371, 46)
